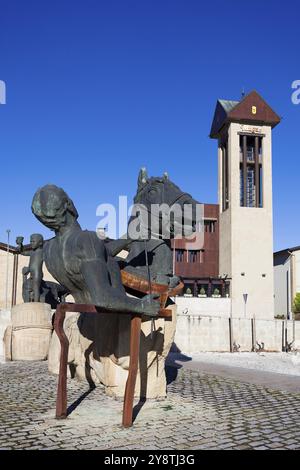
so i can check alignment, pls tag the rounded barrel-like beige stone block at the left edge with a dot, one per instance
(28, 336)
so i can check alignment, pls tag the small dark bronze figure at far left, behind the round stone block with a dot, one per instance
(32, 285)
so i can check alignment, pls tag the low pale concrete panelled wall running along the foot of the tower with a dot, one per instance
(196, 333)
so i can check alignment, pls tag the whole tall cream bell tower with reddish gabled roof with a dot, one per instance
(244, 132)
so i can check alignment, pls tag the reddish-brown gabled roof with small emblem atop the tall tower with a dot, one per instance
(251, 109)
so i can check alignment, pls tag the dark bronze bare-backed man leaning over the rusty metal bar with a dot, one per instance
(80, 261)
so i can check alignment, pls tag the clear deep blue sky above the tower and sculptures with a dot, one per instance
(96, 89)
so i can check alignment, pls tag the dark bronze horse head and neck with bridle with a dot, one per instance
(164, 204)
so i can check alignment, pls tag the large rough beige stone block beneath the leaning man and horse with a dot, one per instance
(99, 352)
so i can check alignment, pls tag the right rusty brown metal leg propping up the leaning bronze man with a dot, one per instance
(135, 333)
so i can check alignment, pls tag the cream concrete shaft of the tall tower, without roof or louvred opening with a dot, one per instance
(246, 236)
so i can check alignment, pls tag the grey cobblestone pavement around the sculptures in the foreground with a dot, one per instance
(200, 412)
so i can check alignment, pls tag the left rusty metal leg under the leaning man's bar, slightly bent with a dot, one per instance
(61, 399)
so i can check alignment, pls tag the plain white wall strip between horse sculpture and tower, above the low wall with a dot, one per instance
(203, 306)
